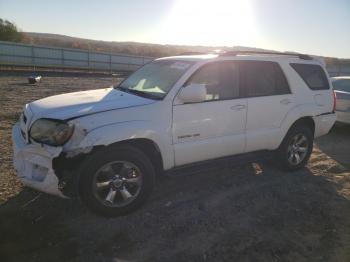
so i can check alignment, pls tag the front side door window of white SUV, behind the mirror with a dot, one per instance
(221, 80)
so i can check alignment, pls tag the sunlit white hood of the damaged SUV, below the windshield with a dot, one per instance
(77, 104)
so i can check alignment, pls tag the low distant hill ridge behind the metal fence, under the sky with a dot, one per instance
(132, 48)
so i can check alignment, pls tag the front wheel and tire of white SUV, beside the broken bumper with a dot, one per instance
(116, 181)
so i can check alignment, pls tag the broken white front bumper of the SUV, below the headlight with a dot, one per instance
(33, 164)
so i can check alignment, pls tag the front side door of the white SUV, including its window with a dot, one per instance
(216, 127)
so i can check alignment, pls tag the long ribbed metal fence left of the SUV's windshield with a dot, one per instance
(15, 54)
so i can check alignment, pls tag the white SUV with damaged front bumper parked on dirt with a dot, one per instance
(107, 145)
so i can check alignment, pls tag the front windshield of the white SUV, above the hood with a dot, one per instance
(154, 80)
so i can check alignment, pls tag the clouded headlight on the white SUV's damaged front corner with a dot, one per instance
(51, 131)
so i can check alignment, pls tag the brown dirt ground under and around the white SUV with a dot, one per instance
(251, 212)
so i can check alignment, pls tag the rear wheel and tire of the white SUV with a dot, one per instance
(286, 153)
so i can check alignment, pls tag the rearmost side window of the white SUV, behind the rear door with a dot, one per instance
(313, 75)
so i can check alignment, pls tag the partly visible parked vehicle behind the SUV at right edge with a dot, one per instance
(341, 86)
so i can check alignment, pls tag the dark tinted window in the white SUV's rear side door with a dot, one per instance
(263, 78)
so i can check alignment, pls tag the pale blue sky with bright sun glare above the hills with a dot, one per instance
(318, 27)
